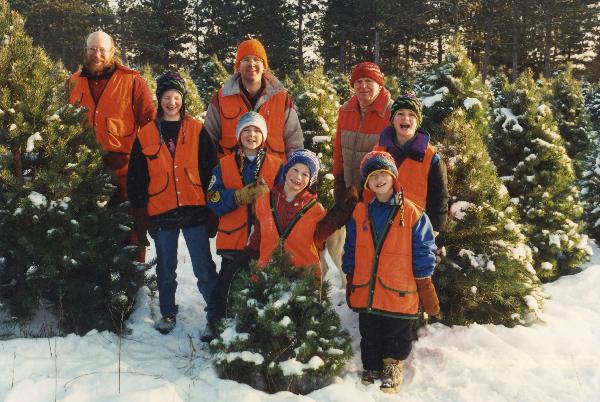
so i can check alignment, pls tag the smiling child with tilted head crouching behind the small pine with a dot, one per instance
(292, 214)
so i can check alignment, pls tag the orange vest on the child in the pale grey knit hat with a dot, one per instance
(233, 226)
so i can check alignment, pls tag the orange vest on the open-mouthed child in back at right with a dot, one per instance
(413, 176)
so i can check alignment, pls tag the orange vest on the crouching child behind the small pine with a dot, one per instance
(297, 237)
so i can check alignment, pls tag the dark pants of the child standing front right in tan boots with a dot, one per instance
(383, 337)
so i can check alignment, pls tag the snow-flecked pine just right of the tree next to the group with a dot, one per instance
(532, 160)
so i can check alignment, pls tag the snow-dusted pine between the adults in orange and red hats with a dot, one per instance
(317, 103)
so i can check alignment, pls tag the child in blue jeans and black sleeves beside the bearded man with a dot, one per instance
(168, 176)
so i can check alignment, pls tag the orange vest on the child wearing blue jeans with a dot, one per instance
(173, 182)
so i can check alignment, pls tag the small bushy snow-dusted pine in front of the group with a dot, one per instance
(282, 332)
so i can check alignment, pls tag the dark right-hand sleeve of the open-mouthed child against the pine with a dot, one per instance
(437, 195)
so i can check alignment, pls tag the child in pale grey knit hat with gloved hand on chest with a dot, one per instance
(238, 180)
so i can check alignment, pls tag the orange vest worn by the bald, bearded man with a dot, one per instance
(113, 118)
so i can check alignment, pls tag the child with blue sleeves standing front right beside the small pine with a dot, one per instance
(389, 259)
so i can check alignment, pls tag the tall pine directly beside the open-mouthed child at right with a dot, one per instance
(486, 275)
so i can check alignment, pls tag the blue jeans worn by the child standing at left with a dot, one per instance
(196, 239)
